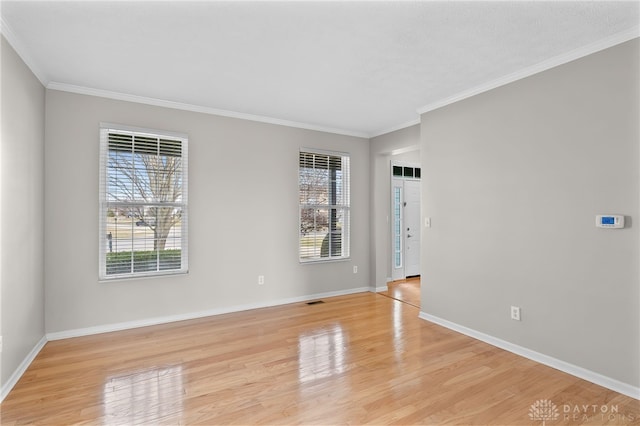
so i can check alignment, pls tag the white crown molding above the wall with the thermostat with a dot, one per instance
(581, 52)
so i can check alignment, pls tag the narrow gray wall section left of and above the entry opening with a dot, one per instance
(384, 149)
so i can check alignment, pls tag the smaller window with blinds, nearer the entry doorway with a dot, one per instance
(324, 205)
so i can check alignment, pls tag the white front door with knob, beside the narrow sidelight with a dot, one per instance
(412, 227)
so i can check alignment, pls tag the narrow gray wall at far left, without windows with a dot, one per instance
(21, 225)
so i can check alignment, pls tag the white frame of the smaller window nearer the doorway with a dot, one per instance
(344, 207)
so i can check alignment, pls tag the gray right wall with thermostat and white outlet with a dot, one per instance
(513, 180)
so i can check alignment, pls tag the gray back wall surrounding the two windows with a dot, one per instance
(243, 215)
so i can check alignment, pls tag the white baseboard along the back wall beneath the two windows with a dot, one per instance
(107, 328)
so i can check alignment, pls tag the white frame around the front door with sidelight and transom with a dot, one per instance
(398, 272)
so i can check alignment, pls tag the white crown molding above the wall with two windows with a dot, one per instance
(63, 87)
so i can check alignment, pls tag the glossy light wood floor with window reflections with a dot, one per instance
(356, 359)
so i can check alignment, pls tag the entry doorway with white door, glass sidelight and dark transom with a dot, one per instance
(405, 223)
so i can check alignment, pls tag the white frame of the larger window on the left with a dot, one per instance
(104, 204)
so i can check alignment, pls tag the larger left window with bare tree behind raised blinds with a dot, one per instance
(143, 203)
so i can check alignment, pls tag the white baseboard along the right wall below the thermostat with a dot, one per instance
(574, 370)
